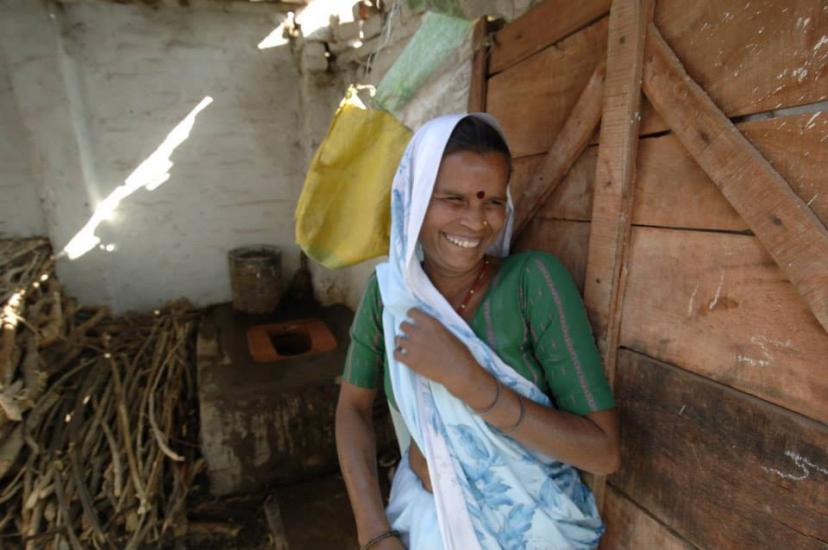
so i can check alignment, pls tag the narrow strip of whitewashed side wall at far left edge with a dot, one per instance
(20, 211)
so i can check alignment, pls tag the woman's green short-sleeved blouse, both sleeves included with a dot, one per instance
(531, 316)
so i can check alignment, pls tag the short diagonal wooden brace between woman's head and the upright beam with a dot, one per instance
(568, 146)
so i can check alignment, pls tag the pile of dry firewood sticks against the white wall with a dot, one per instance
(97, 442)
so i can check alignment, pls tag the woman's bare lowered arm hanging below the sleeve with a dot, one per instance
(356, 447)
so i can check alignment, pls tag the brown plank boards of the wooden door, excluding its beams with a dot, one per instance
(722, 375)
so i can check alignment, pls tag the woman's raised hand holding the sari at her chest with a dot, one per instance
(430, 349)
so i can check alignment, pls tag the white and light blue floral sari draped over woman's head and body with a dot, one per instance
(489, 490)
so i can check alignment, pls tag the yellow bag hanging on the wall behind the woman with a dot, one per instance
(343, 215)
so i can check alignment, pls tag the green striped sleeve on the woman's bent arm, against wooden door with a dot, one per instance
(562, 337)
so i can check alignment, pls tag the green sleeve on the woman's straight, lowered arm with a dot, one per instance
(363, 364)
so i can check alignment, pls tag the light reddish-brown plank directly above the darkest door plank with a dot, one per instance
(717, 304)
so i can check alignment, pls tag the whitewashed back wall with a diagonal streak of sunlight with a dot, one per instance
(119, 79)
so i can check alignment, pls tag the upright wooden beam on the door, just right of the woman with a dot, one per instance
(614, 177)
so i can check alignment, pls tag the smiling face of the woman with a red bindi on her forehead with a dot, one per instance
(466, 212)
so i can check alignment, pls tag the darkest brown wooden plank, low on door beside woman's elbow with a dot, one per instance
(720, 468)
